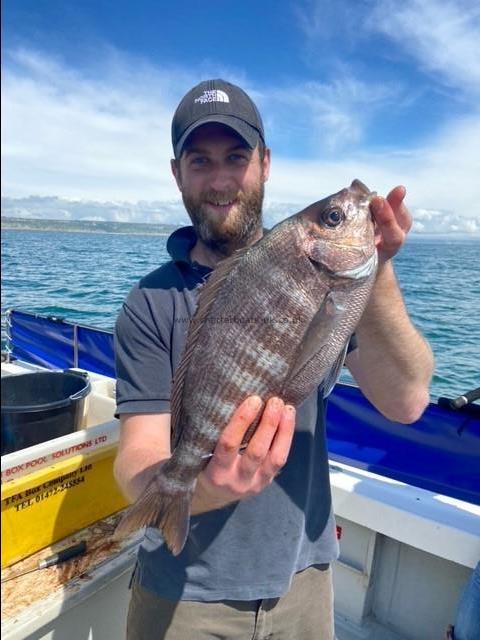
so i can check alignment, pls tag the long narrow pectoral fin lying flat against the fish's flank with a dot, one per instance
(319, 332)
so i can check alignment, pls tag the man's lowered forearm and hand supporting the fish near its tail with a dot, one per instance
(230, 475)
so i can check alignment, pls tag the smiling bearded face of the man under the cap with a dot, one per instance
(222, 185)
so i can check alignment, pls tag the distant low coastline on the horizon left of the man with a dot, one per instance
(86, 226)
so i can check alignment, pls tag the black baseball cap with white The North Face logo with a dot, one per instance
(216, 101)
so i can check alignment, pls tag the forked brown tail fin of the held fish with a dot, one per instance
(169, 512)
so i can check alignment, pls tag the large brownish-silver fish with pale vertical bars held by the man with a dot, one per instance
(273, 319)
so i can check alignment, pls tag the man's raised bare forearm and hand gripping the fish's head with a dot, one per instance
(393, 364)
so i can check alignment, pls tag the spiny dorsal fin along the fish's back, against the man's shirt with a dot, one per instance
(207, 296)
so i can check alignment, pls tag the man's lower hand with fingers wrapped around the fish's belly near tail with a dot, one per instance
(233, 474)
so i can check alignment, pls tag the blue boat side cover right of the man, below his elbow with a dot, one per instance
(440, 452)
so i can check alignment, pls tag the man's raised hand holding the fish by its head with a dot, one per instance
(393, 222)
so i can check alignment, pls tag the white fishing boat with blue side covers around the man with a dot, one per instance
(406, 500)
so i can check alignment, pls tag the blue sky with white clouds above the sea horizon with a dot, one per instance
(380, 90)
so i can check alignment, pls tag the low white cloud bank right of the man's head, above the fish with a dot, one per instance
(442, 175)
